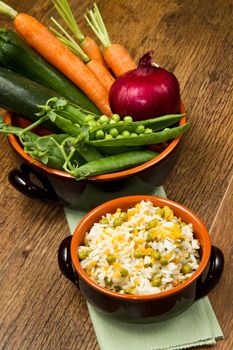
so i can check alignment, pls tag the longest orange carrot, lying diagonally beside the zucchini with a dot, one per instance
(48, 46)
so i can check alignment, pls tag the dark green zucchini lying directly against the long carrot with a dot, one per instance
(17, 56)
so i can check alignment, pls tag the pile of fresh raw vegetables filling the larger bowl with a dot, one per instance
(66, 84)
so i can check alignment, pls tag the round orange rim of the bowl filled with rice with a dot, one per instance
(117, 204)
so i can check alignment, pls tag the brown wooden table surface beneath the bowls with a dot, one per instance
(40, 309)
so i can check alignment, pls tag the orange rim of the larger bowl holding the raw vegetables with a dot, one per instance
(111, 176)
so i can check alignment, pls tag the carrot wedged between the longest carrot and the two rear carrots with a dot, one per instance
(100, 72)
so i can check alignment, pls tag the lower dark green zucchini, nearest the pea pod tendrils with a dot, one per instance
(21, 95)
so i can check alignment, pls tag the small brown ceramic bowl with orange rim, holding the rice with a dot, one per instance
(153, 307)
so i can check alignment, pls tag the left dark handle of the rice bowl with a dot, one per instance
(65, 263)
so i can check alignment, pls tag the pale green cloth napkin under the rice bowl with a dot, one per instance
(194, 327)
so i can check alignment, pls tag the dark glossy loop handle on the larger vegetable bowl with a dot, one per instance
(20, 180)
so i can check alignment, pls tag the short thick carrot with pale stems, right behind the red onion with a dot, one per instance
(116, 56)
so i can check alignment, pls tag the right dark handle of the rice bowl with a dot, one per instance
(214, 274)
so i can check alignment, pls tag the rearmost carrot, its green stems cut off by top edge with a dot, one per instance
(88, 45)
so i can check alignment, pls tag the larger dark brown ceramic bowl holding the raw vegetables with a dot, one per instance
(61, 188)
